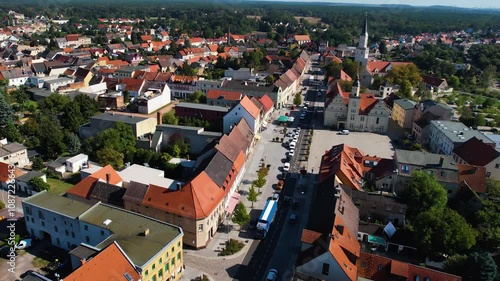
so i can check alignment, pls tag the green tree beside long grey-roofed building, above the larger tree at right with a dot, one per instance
(424, 192)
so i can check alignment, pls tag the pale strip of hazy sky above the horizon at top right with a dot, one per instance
(457, 3)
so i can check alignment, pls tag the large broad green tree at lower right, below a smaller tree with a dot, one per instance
(442, 231)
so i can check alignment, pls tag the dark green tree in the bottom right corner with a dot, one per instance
(480, 266)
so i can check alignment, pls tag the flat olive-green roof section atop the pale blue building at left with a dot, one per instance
(58, 204)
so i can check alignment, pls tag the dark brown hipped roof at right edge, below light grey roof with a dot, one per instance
(476, 152)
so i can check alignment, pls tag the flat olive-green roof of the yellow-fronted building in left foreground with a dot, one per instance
(128, 231)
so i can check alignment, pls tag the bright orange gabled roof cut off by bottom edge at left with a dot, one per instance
(110, 264)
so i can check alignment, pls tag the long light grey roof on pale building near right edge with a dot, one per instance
(457, 132)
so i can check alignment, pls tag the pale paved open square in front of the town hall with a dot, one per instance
(368, 143)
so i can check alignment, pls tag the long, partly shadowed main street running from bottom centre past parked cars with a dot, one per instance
(282, 245)
